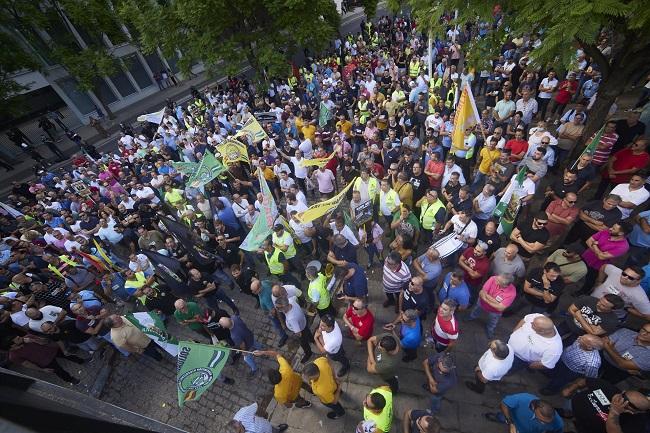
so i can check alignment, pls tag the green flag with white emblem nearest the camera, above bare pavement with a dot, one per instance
(198, 366)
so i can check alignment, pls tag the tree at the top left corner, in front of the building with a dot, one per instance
(87, 61)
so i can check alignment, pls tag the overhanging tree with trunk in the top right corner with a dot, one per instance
(564, 26)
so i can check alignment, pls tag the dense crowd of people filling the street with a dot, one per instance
(79, 247)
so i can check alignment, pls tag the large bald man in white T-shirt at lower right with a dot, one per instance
(536, 343)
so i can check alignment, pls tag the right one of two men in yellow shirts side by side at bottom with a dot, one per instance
(325, 385)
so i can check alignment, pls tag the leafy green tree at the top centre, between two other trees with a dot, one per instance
(227, 34)
